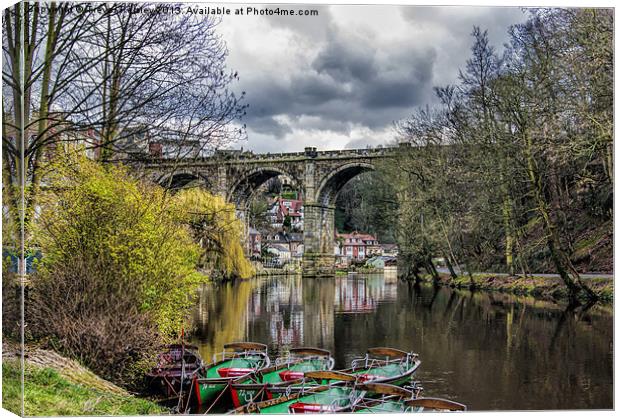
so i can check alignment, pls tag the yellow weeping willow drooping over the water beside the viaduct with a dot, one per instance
(217, 230)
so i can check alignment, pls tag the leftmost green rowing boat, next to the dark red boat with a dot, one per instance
(237, 360)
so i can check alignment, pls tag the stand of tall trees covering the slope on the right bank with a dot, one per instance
(514, 164)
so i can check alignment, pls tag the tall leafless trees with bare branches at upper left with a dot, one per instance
(112, 78)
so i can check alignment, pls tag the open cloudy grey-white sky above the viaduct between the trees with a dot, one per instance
(340, 79)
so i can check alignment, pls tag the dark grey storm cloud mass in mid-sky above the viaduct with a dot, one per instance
(349, 81)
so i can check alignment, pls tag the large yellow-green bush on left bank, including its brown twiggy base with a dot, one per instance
(117, 275)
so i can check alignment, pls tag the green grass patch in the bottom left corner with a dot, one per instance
(48, 393)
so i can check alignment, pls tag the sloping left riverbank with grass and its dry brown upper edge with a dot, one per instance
(55, 385)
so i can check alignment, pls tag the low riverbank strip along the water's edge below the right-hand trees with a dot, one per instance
(550, 288)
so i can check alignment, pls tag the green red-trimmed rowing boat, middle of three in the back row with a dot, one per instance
(274, 380)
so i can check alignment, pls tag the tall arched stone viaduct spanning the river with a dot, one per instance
(319, 175)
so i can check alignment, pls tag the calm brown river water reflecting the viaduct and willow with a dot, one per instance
(491, 351)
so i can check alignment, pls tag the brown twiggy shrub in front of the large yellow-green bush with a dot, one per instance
(84, 313)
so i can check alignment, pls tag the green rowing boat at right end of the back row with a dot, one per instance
(385, 365)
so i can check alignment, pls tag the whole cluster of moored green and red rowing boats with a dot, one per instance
(241, 379)
